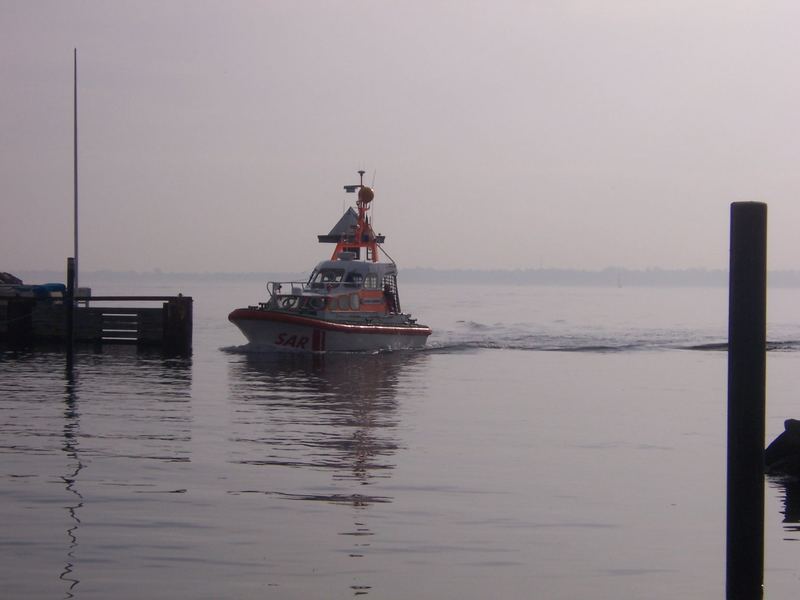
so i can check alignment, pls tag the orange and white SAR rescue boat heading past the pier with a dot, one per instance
(350, 303)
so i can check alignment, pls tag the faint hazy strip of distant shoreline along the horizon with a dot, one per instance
(608, 277)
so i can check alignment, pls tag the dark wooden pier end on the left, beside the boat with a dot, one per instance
(26, 321)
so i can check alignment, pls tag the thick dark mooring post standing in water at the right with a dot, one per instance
(747, 326)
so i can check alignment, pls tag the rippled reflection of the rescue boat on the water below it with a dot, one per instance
(324, 430)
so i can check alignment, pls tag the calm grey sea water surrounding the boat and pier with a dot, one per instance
(551, 442)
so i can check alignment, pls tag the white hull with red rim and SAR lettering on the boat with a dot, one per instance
(278, 330)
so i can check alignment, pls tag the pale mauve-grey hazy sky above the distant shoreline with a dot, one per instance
(217, 136)
